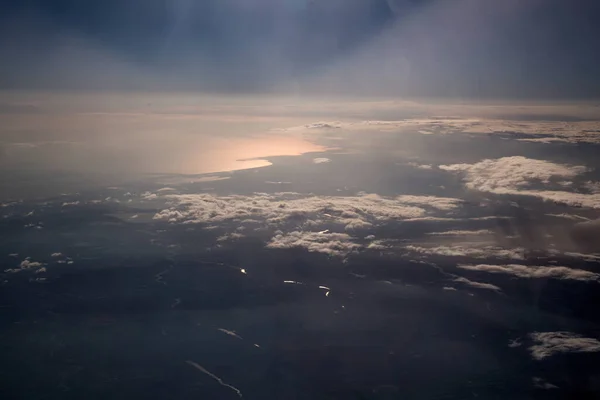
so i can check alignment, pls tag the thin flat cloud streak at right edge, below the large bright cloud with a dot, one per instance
(524, 271)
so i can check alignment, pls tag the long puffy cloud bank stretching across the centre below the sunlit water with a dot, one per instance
(280, 208)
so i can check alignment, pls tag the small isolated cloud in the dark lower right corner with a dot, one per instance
(548, 344)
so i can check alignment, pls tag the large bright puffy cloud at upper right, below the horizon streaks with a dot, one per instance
(518, 175)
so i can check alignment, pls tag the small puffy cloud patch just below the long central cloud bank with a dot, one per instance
(333, 244)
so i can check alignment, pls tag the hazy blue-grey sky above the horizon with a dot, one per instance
(542, 49)
